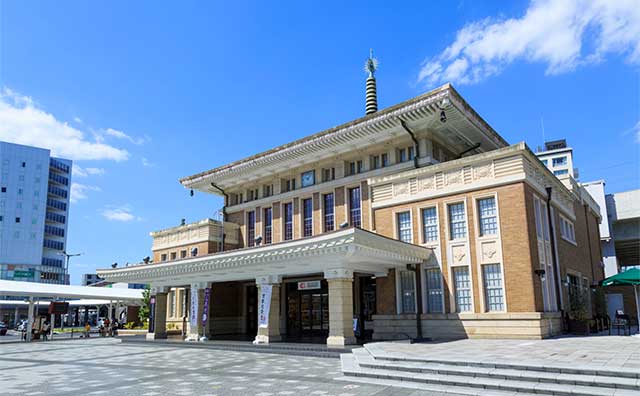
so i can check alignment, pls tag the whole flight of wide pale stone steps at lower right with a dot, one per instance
(367, 365)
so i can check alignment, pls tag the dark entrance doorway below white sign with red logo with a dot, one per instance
(308, 310)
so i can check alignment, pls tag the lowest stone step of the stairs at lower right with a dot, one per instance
(351, 368)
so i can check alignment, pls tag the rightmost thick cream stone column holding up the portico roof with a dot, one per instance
(340, 307)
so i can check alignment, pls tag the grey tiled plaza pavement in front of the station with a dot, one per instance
(107, 367)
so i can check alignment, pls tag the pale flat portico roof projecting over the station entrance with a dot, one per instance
(350, 249)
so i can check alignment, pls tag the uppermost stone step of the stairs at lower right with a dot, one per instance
(556, 368)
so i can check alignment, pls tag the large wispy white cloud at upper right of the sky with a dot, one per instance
(563, 34)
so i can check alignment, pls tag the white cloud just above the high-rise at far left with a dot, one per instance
(23, 122)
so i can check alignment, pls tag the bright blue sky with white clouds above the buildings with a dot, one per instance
(140, 94)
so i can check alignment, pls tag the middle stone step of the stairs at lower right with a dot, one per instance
(365, 360)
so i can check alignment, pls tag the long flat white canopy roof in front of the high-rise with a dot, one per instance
(45, 290)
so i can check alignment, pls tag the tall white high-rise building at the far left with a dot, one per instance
(34, 207)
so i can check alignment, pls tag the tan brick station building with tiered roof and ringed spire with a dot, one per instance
(418, 220)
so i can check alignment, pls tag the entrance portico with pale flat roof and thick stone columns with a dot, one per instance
(333, 257)
